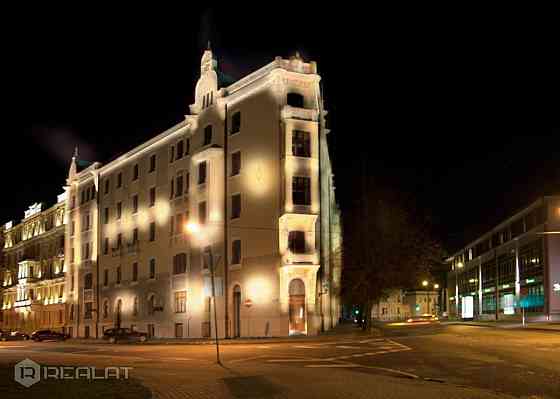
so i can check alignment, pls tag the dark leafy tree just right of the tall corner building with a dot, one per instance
(388, 244)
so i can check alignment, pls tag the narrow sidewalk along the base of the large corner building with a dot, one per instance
(345, 330)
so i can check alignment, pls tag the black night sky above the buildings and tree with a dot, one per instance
(448, 113)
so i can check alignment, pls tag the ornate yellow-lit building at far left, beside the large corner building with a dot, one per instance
(32, 274)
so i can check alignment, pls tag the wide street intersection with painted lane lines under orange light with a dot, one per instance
(434, 360)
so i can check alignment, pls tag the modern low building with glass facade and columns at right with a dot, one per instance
(512, 269)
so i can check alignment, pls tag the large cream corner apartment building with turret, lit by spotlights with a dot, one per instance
(249, 172)
